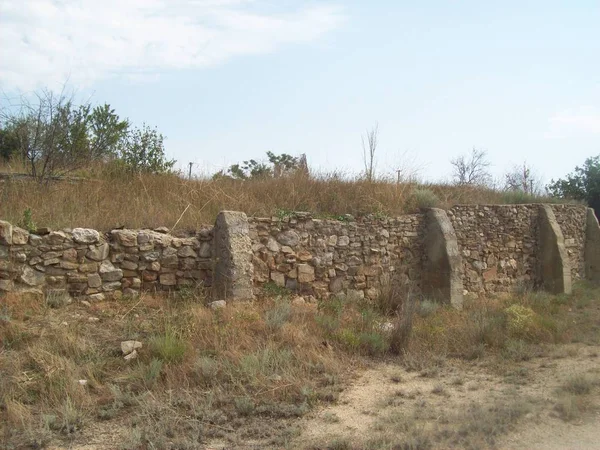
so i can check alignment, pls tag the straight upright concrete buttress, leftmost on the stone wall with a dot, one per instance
(233, 272)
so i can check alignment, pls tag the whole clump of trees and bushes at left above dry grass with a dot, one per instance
(54, 136)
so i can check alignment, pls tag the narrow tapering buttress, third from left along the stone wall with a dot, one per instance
(554, 267)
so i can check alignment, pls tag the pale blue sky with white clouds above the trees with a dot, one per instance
(229, 80)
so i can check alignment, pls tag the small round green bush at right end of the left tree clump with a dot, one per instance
(142, 151)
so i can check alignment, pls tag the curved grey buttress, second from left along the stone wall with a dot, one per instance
(442, 269)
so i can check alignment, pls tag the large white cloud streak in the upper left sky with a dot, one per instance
(45, 41)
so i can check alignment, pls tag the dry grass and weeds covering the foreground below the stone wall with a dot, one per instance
(248, 374)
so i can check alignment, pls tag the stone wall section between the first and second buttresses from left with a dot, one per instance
(323, 257)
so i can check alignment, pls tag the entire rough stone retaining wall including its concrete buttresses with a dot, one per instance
(469, 249)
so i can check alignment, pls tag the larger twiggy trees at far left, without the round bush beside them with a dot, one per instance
(54, 137)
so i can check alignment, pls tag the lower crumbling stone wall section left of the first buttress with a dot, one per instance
(85, 262)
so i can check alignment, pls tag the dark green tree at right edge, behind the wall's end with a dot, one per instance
(583, 184)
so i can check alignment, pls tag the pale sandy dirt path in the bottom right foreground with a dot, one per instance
(467, 405)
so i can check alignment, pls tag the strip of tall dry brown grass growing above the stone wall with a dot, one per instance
(103, 201)
